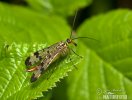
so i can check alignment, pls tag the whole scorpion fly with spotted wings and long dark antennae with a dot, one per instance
(45, 57)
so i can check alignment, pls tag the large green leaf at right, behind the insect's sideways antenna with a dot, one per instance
(107, 62)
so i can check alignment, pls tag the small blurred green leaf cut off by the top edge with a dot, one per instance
(65, 7)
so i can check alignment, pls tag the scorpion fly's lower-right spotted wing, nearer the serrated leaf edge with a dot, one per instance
(50, 58)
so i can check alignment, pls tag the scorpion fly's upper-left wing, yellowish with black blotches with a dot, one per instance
(36, 57)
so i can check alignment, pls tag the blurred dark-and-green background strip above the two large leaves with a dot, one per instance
(95, 7)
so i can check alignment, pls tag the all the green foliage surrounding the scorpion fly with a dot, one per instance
(32, 25)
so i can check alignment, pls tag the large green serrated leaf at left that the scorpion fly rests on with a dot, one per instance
(22, 32)
